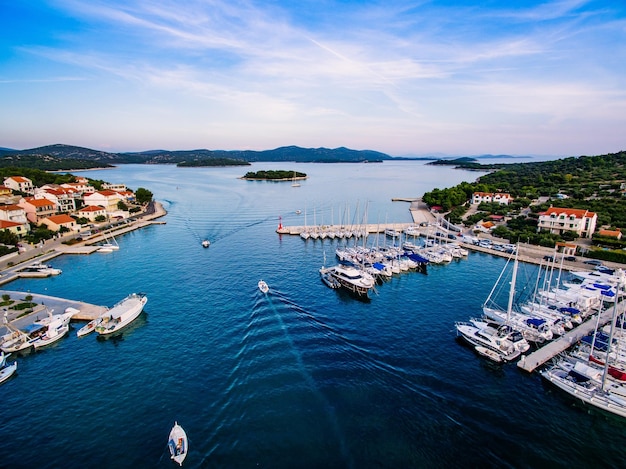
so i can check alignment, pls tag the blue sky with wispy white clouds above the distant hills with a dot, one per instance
(453, 77)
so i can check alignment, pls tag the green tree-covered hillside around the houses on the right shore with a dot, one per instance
(587, 182)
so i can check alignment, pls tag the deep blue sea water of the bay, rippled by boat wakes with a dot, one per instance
(300, 377)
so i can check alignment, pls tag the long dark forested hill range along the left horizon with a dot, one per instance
(289, 153)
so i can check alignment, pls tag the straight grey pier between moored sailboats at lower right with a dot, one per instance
(552, 349)
